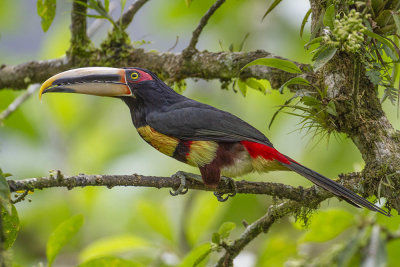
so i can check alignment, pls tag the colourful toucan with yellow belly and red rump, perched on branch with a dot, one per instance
(215, 141)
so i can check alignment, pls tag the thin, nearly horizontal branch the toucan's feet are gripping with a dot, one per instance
(307, 196)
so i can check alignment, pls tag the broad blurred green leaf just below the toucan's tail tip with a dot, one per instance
(321, 230)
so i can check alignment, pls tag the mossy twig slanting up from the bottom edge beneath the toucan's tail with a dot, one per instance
(275, 212)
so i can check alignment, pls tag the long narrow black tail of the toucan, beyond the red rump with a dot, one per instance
(334, 187)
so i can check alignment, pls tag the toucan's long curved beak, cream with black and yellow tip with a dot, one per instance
(100, 81)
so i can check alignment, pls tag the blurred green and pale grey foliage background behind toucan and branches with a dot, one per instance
(93, 135)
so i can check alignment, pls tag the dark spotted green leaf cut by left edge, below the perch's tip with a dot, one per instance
(10, 226)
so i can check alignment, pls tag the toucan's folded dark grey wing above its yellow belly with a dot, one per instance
(191, 120)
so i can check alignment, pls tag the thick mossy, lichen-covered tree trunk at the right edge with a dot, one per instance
(360, 116)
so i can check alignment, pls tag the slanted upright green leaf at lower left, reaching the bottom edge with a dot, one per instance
(61, 235)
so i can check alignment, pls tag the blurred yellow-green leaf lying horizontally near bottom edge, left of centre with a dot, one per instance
(112, 245)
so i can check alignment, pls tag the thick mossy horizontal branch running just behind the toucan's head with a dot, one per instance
(204, 65)
